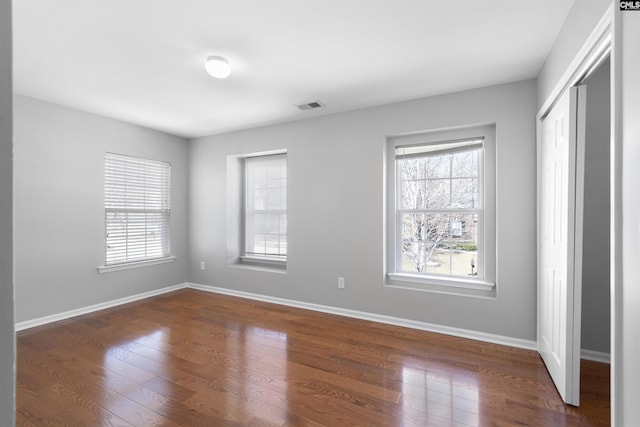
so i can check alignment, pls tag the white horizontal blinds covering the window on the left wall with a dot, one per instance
(137, 209)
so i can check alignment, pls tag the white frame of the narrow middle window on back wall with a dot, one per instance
(252, 258)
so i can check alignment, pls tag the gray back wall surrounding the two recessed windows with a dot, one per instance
(336, 206)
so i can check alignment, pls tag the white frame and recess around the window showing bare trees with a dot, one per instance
(395, 277)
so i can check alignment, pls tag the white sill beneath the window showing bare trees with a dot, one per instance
(459, 286)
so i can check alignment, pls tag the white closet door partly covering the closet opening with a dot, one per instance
(559, 261)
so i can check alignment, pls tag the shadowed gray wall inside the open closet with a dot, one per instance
(596, 313)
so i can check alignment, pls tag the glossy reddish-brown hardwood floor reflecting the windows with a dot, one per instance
(192, 358)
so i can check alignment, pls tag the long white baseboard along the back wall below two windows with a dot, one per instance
(413, 324)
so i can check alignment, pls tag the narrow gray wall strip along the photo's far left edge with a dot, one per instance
(7, 338)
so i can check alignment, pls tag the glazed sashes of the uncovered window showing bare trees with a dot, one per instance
(439, 209)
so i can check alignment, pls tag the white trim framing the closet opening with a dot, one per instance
(596, 49)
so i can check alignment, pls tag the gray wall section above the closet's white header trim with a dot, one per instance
(582, 19)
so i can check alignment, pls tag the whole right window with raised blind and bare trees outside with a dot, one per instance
(443, 226)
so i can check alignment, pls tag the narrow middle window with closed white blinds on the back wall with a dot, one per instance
(265, 209)
